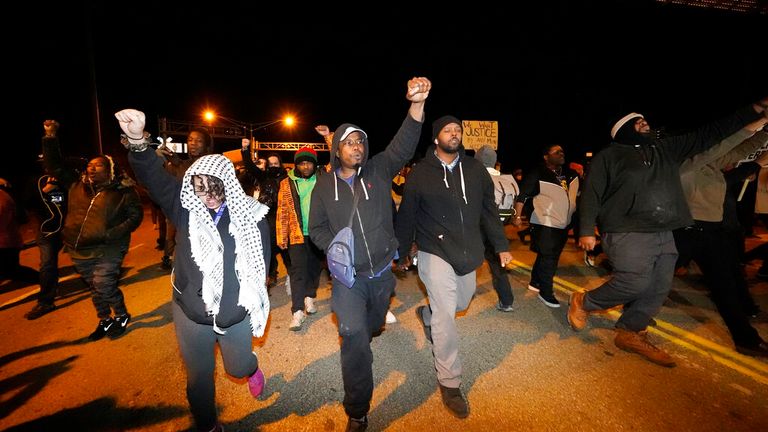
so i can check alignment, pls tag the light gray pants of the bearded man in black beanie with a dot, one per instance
(448, 293)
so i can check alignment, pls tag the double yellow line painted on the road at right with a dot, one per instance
(743, 364)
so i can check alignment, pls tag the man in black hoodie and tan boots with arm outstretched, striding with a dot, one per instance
(634, 191)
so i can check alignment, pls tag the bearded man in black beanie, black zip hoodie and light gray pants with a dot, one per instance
(448, 205)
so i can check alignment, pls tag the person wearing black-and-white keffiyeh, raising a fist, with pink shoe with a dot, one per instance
(219, 277)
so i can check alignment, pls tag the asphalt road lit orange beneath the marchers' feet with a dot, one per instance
(524, 370)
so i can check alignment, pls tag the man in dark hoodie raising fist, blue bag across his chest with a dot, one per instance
(361, 310)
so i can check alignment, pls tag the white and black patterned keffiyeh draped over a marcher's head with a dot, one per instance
(207, 248)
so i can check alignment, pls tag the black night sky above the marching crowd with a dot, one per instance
(548, 73)
